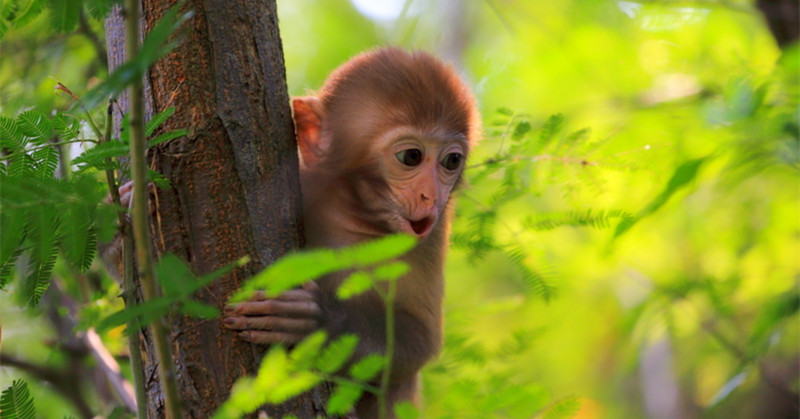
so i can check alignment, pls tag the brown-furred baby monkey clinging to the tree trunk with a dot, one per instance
(382, 146)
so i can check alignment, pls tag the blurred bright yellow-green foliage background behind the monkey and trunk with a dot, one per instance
(646, 267)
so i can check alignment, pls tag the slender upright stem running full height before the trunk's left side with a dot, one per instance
(144, 259)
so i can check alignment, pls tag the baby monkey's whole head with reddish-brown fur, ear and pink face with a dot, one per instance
(397, 128)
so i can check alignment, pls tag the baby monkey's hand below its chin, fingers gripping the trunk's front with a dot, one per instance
(286, 319)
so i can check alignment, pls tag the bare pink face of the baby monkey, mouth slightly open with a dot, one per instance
(421, 169)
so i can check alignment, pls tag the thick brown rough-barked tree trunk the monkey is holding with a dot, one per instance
(235, 186)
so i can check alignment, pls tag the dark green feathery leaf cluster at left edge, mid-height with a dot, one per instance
(44, 213)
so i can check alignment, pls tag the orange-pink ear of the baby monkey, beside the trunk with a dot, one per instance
(308, 114)
